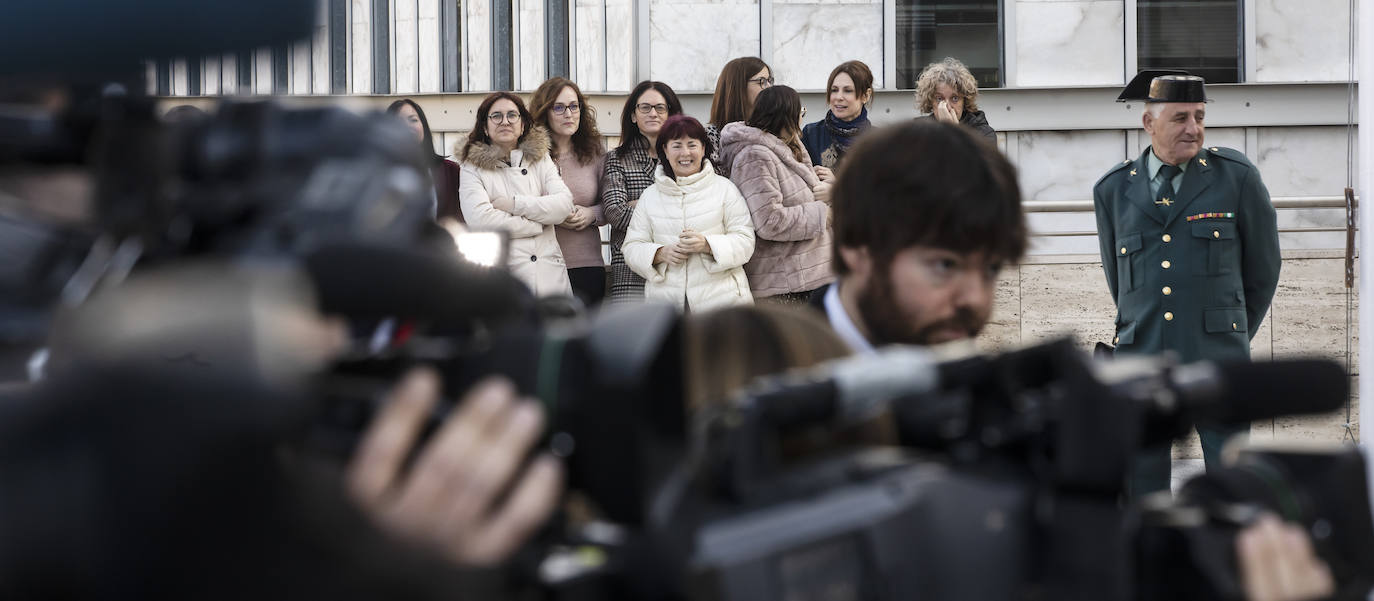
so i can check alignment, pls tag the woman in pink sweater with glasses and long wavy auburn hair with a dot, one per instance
(561, 108)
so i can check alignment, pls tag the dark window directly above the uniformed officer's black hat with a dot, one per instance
(1199, 36)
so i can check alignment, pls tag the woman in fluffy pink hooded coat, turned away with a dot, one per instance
(789, 203)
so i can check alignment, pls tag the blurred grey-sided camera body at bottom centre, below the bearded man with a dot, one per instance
(899, 530)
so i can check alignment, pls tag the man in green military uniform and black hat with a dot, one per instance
(1189, 245)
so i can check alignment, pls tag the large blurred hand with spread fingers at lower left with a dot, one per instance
(468, 494)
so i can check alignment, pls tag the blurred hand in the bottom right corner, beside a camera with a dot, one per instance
(1279, 565)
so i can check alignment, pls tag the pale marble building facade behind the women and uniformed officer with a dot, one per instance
(1063, 64)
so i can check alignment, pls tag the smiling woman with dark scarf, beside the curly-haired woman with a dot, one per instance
(828, 141)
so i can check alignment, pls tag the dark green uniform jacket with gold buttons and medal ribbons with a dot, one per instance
(1200, 278)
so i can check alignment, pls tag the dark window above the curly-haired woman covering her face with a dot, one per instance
(969, 31)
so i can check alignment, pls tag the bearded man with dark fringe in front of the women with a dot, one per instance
(925, 218)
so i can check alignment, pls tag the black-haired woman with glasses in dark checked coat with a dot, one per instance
(630, 171)
